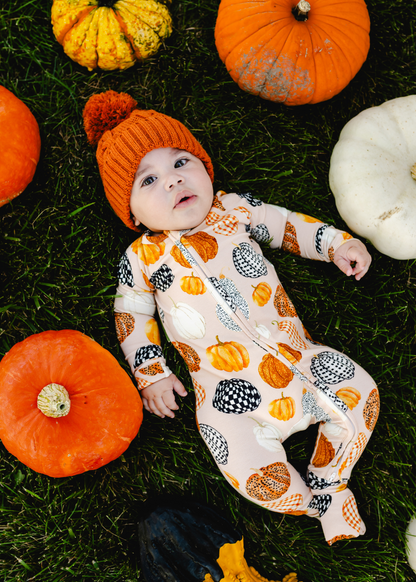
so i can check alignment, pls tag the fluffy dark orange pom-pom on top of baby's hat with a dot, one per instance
(105, 111)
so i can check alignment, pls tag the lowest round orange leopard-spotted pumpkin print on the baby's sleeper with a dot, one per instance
(269, 482)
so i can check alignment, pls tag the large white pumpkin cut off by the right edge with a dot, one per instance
(372, 179)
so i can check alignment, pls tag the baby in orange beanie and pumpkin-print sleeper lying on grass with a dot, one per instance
(257, 374)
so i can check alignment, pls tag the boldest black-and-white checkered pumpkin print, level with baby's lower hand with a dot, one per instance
(236, 396)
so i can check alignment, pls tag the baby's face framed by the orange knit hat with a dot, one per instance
(171, 191)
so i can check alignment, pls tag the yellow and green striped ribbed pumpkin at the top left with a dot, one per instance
(110, 34)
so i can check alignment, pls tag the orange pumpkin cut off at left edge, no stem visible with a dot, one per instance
(20, 146)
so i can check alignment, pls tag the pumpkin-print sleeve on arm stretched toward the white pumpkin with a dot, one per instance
(296, 233)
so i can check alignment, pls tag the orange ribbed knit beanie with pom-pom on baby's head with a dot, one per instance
(124, 135)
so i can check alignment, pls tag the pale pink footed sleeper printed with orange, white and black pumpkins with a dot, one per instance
(251, 362)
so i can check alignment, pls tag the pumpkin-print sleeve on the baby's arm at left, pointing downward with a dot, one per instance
(136, 327)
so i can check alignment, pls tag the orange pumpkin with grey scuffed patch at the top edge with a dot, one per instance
(293, 55)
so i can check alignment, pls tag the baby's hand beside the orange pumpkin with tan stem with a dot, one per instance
(159, 398)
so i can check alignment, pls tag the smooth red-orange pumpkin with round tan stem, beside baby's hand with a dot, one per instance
(66, 405)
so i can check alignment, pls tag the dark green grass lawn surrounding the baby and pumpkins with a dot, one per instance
(60, 243)
